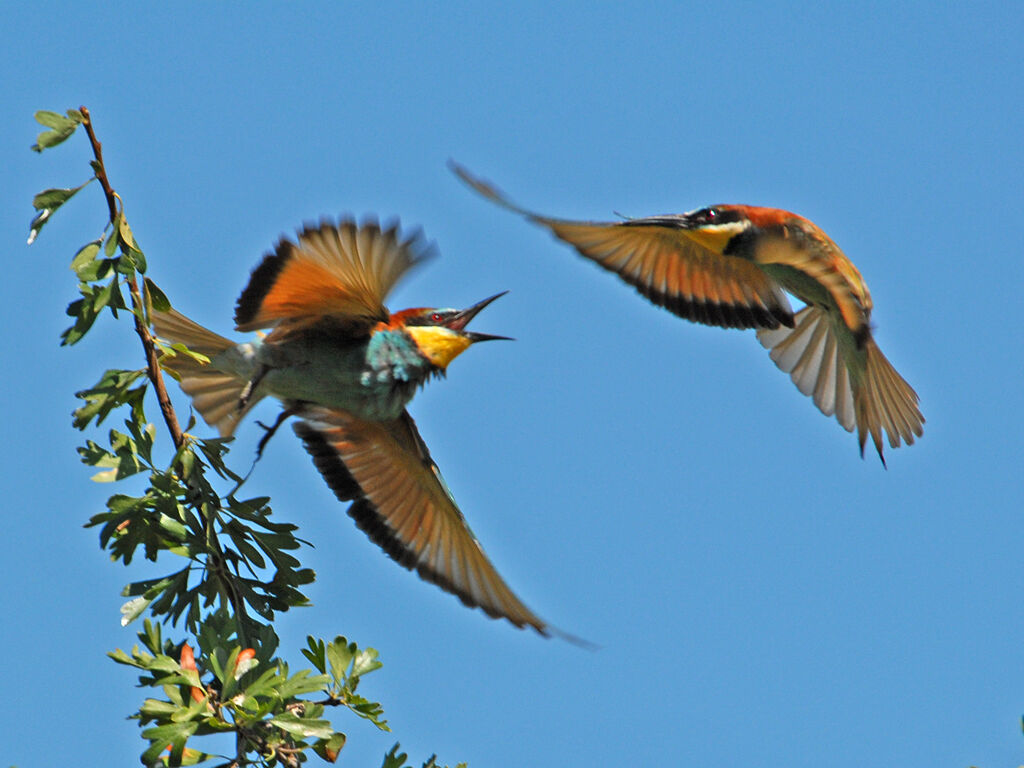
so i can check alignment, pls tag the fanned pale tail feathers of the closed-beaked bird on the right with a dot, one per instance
(872, 396)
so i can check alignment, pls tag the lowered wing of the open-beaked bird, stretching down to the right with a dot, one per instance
(402, 503)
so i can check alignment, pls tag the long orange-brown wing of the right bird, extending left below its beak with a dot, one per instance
(668, 267)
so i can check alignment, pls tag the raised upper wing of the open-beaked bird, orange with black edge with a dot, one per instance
(338, 274)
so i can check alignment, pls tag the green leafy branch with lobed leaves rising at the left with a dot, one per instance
(231, 569)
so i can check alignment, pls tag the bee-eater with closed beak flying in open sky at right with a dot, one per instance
(732, 266)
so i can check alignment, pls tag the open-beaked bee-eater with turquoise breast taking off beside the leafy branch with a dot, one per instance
(348, 368)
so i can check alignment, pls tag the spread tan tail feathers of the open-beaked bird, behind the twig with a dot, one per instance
(216, 395)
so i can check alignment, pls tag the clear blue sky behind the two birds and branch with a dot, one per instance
(762, 596)
